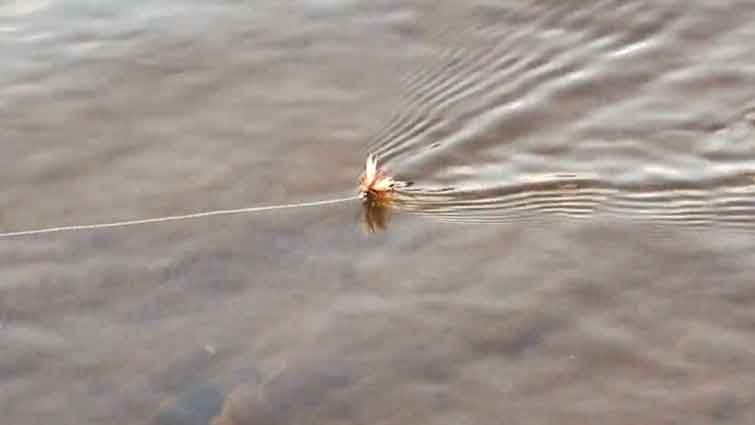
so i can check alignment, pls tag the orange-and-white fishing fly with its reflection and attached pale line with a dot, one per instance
(376, 191)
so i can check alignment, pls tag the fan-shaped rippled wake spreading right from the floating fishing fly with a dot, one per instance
(529, 114)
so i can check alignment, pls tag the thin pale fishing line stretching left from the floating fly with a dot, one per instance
(176, 217)
